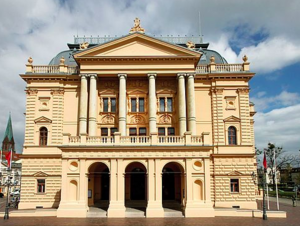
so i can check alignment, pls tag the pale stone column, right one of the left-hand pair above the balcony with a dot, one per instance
(93, 105)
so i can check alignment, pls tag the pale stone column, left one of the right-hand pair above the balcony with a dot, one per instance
(181, 104)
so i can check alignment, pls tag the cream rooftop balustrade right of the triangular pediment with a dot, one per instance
(224, 68)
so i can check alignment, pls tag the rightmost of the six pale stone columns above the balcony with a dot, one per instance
(191, 113)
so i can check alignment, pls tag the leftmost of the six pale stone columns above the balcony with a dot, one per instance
(83, 105)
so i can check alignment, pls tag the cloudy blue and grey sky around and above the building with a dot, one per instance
(267, 31)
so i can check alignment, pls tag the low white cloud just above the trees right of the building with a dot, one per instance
(280, 126)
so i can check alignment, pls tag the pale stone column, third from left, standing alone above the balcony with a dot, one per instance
(122, 104)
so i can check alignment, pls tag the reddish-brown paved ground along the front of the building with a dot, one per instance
(293, 219)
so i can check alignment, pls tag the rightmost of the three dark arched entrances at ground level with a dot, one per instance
(172, 185)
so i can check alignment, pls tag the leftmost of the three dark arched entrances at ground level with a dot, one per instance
(98, 186)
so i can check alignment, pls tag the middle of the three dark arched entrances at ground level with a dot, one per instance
(136, 186)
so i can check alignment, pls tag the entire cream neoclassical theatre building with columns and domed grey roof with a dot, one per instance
(145, 122)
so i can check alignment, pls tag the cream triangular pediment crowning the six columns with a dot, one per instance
(137, 45)
